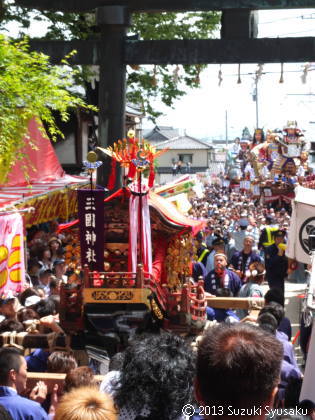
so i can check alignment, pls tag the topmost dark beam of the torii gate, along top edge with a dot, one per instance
(165, 5)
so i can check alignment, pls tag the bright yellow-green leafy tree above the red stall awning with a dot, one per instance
(30, 87)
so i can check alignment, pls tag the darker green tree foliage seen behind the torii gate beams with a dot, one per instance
(144, 82)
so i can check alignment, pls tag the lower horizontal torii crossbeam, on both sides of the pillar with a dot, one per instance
(212, 51)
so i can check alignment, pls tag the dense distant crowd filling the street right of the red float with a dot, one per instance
(245, 231)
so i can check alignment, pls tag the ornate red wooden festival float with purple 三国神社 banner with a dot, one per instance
(135, 250)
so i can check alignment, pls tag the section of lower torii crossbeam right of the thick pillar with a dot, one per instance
(221, 51)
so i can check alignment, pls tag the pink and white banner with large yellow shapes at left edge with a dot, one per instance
(12, 267)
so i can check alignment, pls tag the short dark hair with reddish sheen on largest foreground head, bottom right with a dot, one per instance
(237, 365)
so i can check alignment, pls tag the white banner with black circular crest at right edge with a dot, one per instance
(302, 225)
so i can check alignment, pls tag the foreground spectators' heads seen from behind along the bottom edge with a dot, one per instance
(235, 370)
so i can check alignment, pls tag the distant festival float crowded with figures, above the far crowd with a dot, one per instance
(270, 168)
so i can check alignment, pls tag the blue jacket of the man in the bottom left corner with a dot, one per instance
(19, 407)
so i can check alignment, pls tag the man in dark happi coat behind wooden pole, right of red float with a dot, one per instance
(221, 277)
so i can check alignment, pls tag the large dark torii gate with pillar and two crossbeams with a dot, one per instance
(113, 50)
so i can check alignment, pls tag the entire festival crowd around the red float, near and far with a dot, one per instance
(242, 362)
